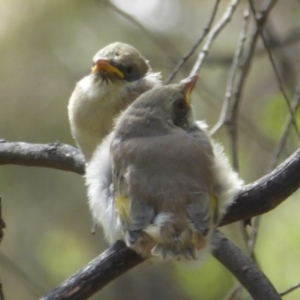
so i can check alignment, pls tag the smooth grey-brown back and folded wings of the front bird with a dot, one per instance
(161, 169)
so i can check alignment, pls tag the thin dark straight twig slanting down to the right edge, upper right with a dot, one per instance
(280, 84)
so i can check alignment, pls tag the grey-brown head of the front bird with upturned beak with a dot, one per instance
(159, 110)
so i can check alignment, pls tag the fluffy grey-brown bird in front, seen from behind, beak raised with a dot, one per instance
(158, 181)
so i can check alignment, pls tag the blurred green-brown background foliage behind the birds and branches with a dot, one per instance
(46, 46)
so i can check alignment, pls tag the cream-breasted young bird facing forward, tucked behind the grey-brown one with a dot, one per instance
(119, 75)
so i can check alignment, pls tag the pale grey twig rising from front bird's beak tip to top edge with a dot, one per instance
(226, 18)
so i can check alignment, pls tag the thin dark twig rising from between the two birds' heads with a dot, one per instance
(196, 45)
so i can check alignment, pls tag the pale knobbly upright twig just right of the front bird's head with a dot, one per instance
(236, 59)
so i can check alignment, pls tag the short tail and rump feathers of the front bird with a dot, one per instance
(170, 239)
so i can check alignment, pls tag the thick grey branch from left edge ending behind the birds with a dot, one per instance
(54, 155)
